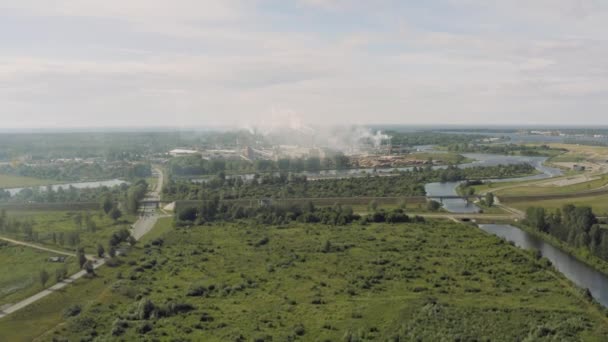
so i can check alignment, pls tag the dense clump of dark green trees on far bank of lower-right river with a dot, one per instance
(576, 226)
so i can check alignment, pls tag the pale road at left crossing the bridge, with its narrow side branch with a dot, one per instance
(145, 223)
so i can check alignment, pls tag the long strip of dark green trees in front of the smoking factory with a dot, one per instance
(408, 183)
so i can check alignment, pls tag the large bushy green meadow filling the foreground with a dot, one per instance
(242, 282)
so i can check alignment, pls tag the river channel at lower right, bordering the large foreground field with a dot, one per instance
(578, 272)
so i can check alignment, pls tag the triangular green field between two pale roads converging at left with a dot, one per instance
(20, 268)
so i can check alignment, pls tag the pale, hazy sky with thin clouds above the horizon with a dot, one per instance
(183, 63)
